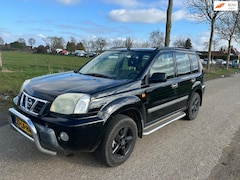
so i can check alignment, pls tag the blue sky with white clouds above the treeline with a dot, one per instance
(92, 19)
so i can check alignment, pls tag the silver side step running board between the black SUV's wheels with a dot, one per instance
(158, 125)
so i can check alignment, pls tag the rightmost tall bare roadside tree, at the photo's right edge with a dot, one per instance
(226, 28)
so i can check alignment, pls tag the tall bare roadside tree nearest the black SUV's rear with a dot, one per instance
(203, 11)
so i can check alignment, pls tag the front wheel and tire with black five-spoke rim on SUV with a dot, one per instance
(118, 141)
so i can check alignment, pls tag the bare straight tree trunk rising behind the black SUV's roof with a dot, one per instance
(168, 23)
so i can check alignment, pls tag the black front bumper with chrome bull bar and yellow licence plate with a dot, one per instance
(83, 137)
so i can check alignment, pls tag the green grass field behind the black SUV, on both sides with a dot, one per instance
(19, 66)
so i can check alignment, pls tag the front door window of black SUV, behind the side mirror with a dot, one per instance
(164, 64)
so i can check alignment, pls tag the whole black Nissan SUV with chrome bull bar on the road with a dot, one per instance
(106, 104)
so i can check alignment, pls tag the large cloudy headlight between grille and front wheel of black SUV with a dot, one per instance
(71, 103)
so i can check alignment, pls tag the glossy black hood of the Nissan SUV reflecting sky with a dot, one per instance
(50, 86)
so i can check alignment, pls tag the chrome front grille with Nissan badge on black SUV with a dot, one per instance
(32, 104)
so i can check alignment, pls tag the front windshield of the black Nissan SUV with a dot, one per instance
(117, 64)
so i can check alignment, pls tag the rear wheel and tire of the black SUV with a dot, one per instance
(193, 108)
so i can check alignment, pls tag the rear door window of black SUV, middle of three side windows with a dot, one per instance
(183, 64)
